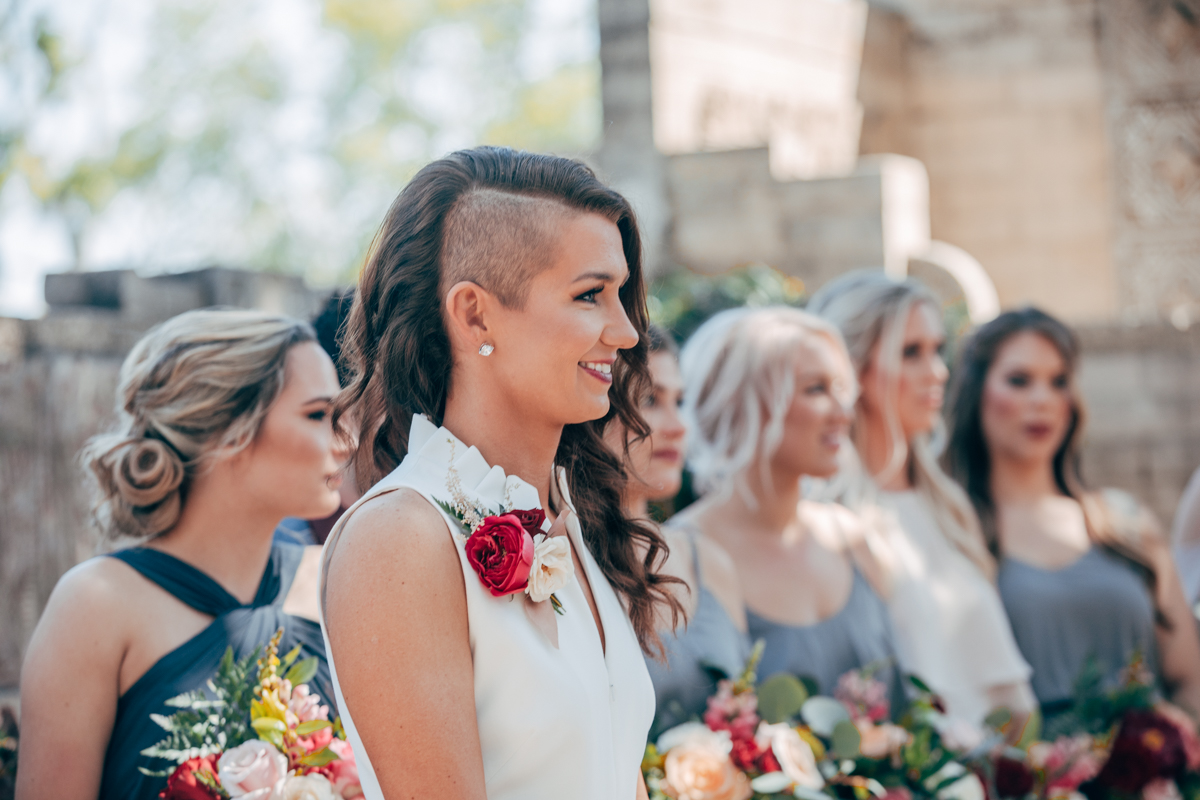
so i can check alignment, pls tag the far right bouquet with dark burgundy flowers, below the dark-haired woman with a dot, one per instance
(1109, 745)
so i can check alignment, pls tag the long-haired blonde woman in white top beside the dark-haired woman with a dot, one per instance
(951, 625)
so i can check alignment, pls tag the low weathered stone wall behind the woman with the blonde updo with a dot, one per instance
(58, 381)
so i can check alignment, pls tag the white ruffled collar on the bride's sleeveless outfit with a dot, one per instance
(483, 483)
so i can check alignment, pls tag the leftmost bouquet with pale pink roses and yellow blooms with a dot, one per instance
(260, 737)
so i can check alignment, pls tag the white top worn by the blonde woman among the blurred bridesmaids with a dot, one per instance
(951, 627)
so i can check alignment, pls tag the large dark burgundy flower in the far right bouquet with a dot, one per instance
(1148, 747)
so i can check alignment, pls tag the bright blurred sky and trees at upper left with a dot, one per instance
(170, 135)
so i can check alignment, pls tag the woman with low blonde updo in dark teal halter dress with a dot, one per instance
(224, 428)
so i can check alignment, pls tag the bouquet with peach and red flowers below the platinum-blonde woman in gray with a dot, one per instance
(782, 742)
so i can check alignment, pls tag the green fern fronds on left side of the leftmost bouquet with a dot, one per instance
(209, 724)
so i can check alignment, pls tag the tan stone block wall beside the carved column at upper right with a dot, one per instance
(1004, 103)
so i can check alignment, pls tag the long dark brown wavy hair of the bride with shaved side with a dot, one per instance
(399, 354)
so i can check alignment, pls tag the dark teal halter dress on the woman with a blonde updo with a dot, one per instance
(191, 665)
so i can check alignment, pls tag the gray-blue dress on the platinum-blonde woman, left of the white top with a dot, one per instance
(857, 636)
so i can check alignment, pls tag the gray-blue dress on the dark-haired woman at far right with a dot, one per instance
(1096, 607)
